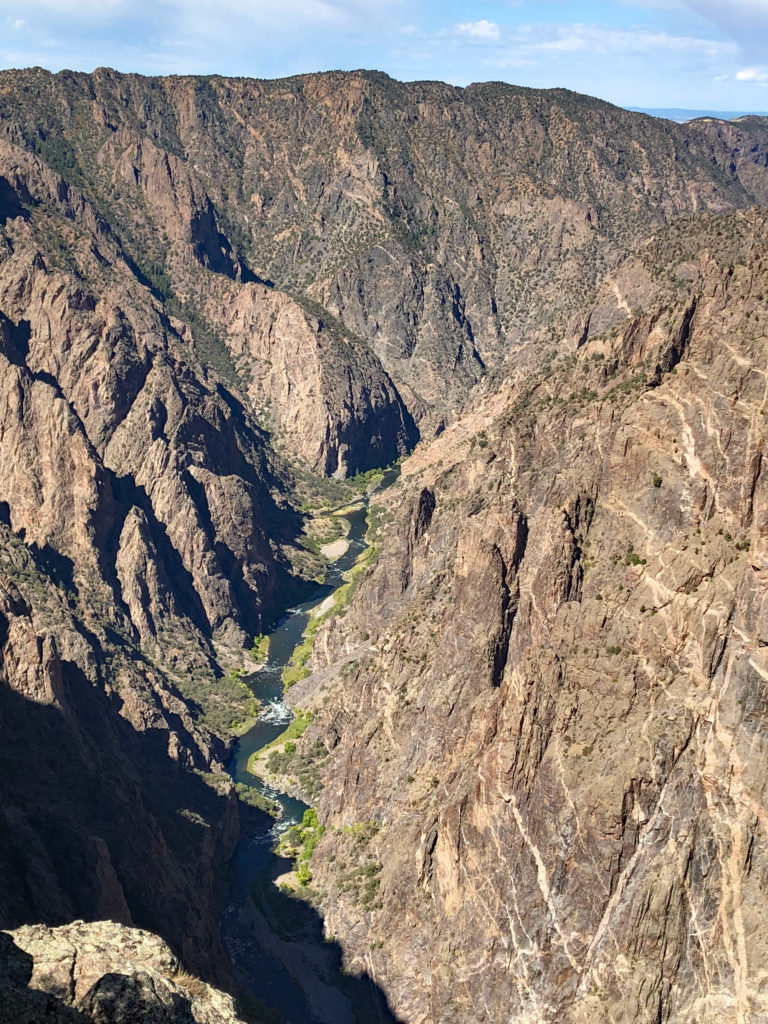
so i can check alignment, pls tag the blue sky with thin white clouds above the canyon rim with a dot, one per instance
(691, 54)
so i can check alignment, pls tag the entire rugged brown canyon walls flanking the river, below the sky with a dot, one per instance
(537, 719)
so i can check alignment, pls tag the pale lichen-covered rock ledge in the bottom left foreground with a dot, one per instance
(102, 973)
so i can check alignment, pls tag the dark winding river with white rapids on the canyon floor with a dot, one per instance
(276, 944)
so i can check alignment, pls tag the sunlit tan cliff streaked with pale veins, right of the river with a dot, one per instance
(543, 714)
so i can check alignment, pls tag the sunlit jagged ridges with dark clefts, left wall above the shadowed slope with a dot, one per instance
(96, 377)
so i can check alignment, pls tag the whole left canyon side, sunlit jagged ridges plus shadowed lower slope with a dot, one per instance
(142, 528)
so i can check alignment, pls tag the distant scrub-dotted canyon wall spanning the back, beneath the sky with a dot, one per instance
(410, 235)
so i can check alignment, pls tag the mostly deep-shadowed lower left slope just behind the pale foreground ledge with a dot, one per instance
(114, 799)
